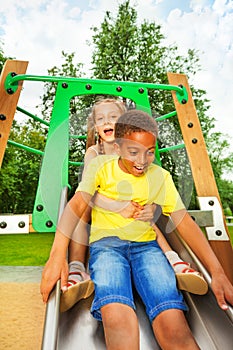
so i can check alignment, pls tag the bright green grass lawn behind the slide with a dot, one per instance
(32, 249)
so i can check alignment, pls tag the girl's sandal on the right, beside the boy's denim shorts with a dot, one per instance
(190, 280)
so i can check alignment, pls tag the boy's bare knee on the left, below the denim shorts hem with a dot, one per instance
(120, 327)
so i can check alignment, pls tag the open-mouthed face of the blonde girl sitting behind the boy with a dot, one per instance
(106, 115)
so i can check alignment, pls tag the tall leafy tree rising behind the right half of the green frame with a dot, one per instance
(124, 50)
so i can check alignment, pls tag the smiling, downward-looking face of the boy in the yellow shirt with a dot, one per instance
(136, 152)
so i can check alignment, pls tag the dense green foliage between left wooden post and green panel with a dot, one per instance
(20, 169)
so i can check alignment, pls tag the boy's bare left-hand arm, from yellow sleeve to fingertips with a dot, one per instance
(56, 267)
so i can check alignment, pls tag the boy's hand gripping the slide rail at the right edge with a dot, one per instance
(223, 290)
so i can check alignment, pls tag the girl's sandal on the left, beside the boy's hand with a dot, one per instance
(77, 290)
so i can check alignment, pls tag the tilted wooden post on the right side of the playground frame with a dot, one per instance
(202, 171)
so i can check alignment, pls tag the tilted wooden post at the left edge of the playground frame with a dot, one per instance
(8, 103)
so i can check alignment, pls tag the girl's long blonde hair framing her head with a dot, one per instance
(91, 132)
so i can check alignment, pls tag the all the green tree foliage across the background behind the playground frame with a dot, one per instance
(128, 51)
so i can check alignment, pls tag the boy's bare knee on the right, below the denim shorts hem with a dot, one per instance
(172, 331)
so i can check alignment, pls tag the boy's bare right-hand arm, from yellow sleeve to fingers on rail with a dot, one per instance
(194, 237)
